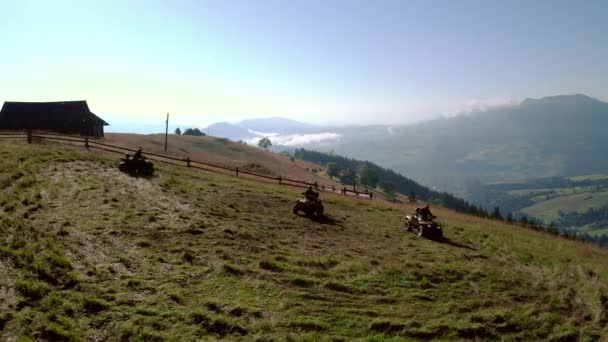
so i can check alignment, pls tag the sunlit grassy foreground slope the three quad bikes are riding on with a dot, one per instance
(87, 253)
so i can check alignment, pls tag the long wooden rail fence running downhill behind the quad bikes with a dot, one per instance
(95, 143)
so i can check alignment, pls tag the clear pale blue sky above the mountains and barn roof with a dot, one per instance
(326, 62)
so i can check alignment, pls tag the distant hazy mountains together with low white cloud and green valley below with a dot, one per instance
(556, 137)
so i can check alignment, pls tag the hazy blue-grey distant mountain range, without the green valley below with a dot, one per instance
(552, 136)
